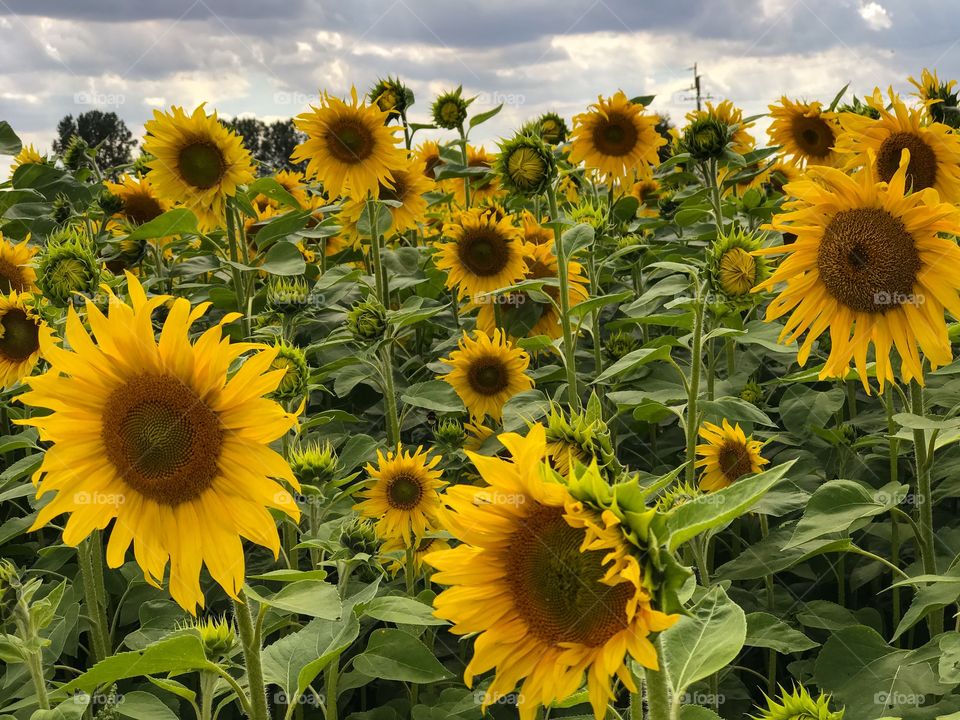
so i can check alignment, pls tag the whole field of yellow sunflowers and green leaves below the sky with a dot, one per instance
(616, 420)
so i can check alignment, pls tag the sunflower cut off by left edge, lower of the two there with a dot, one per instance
(22, 332)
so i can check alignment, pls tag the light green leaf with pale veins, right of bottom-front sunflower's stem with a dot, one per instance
(705, 642)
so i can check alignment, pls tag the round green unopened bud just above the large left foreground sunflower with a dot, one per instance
(67, 267)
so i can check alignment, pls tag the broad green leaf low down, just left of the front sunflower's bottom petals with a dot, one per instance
(397, 655)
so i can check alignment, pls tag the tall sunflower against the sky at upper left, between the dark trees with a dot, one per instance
(197, 162)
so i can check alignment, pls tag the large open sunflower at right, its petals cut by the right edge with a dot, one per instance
(869, 265)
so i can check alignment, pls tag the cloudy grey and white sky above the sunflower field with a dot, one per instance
(270, 59)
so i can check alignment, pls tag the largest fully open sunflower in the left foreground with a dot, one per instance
(155, 435)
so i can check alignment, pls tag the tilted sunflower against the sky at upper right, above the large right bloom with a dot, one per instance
(806, 132)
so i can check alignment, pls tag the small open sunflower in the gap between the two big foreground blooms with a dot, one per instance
(403, 494)
